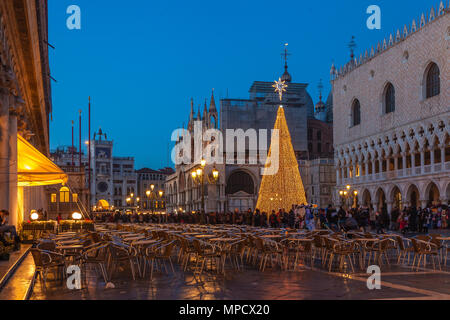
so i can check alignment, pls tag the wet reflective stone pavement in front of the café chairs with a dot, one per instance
(398, 282)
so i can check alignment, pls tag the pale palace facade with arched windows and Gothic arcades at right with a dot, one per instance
(392, 117)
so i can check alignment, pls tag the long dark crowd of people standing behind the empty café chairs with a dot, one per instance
(408, 219)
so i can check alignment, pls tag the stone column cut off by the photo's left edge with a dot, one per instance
(4, 149)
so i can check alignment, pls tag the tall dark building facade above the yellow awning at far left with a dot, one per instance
(25, 93)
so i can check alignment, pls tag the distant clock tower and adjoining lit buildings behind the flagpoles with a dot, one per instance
(115, 184)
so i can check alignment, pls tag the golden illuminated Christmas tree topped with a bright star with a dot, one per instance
(284, 188)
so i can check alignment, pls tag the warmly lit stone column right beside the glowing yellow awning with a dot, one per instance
(13, 205)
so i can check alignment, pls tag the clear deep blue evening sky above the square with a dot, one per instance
(142, 60)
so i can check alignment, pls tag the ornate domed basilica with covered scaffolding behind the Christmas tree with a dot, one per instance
(238, 184)
